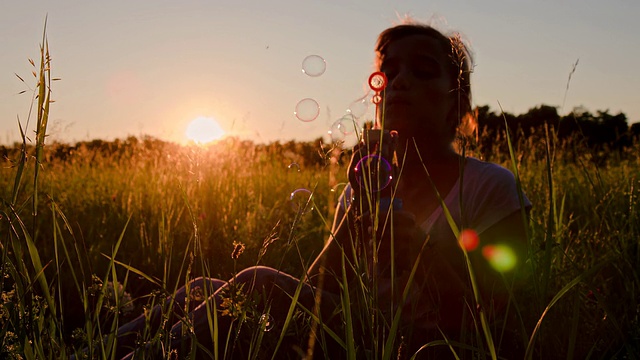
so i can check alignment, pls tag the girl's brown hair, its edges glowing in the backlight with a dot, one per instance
(460, 66)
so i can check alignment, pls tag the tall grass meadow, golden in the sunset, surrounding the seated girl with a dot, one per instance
(95, 234)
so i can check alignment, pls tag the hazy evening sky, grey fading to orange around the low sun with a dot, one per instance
(151, 67)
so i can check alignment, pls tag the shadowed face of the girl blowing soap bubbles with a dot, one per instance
(419, 101)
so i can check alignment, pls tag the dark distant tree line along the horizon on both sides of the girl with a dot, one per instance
(602, 133)
